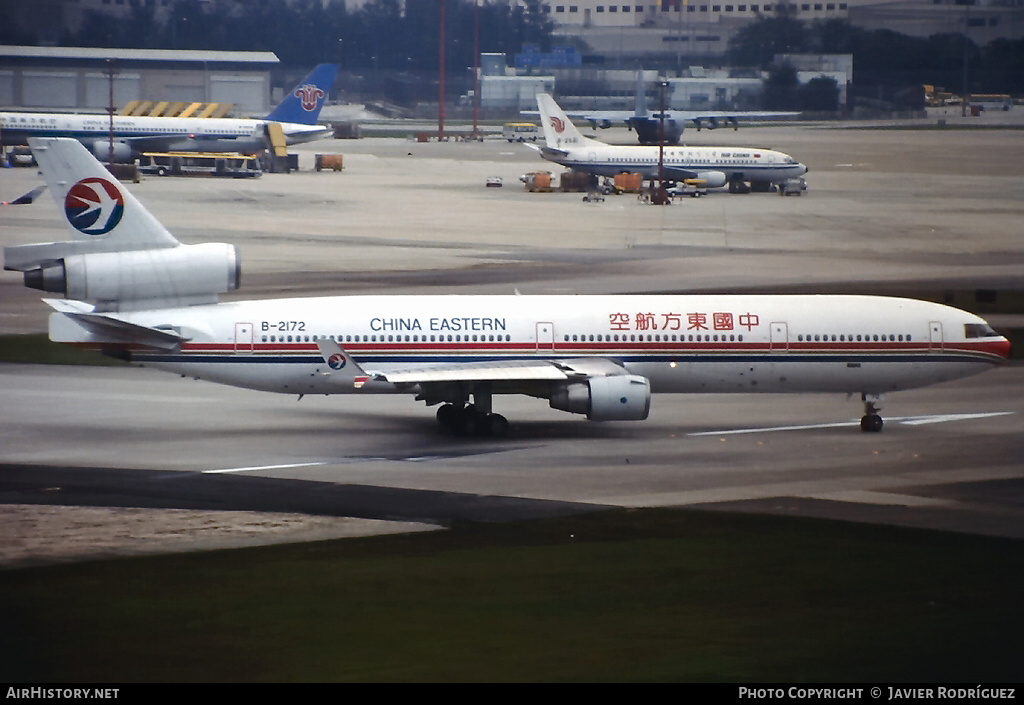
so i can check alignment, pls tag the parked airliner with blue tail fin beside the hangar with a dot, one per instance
(297, 115)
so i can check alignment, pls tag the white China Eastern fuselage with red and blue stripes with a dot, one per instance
(682, 344)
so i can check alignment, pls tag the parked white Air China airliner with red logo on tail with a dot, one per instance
(717, 167)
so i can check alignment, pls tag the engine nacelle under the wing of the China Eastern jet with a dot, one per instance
(618, 398)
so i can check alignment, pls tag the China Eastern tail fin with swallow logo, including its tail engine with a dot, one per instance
(120, 257)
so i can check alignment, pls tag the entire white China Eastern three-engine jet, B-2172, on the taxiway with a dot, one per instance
(136, 293)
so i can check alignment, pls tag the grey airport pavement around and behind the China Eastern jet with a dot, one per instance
(887, 211)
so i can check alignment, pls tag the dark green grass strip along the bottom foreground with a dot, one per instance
(621, 596)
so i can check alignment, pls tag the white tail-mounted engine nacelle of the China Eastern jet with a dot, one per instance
(187, 273)
